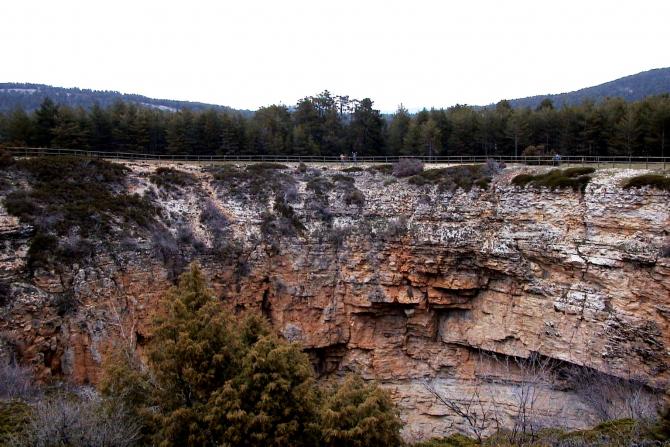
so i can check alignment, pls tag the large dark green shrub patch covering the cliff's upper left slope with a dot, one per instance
(73, 198)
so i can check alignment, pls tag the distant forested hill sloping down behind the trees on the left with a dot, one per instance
(30, 96)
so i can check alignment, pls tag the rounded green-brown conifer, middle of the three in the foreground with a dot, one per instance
(271, 402)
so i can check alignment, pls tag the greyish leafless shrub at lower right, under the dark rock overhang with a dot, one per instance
(613, 397)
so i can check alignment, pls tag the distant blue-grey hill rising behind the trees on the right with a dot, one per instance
(630, 88)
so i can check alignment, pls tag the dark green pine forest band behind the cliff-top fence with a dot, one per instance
(330, 125)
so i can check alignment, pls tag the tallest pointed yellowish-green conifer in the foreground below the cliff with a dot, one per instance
(194, 352)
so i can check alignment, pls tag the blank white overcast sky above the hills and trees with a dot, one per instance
(251, 53)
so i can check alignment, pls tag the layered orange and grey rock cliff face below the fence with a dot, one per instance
(418, 289)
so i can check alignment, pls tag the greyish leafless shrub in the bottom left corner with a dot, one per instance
(79, 421)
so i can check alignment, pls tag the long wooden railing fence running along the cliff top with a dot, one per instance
(631, 161)
